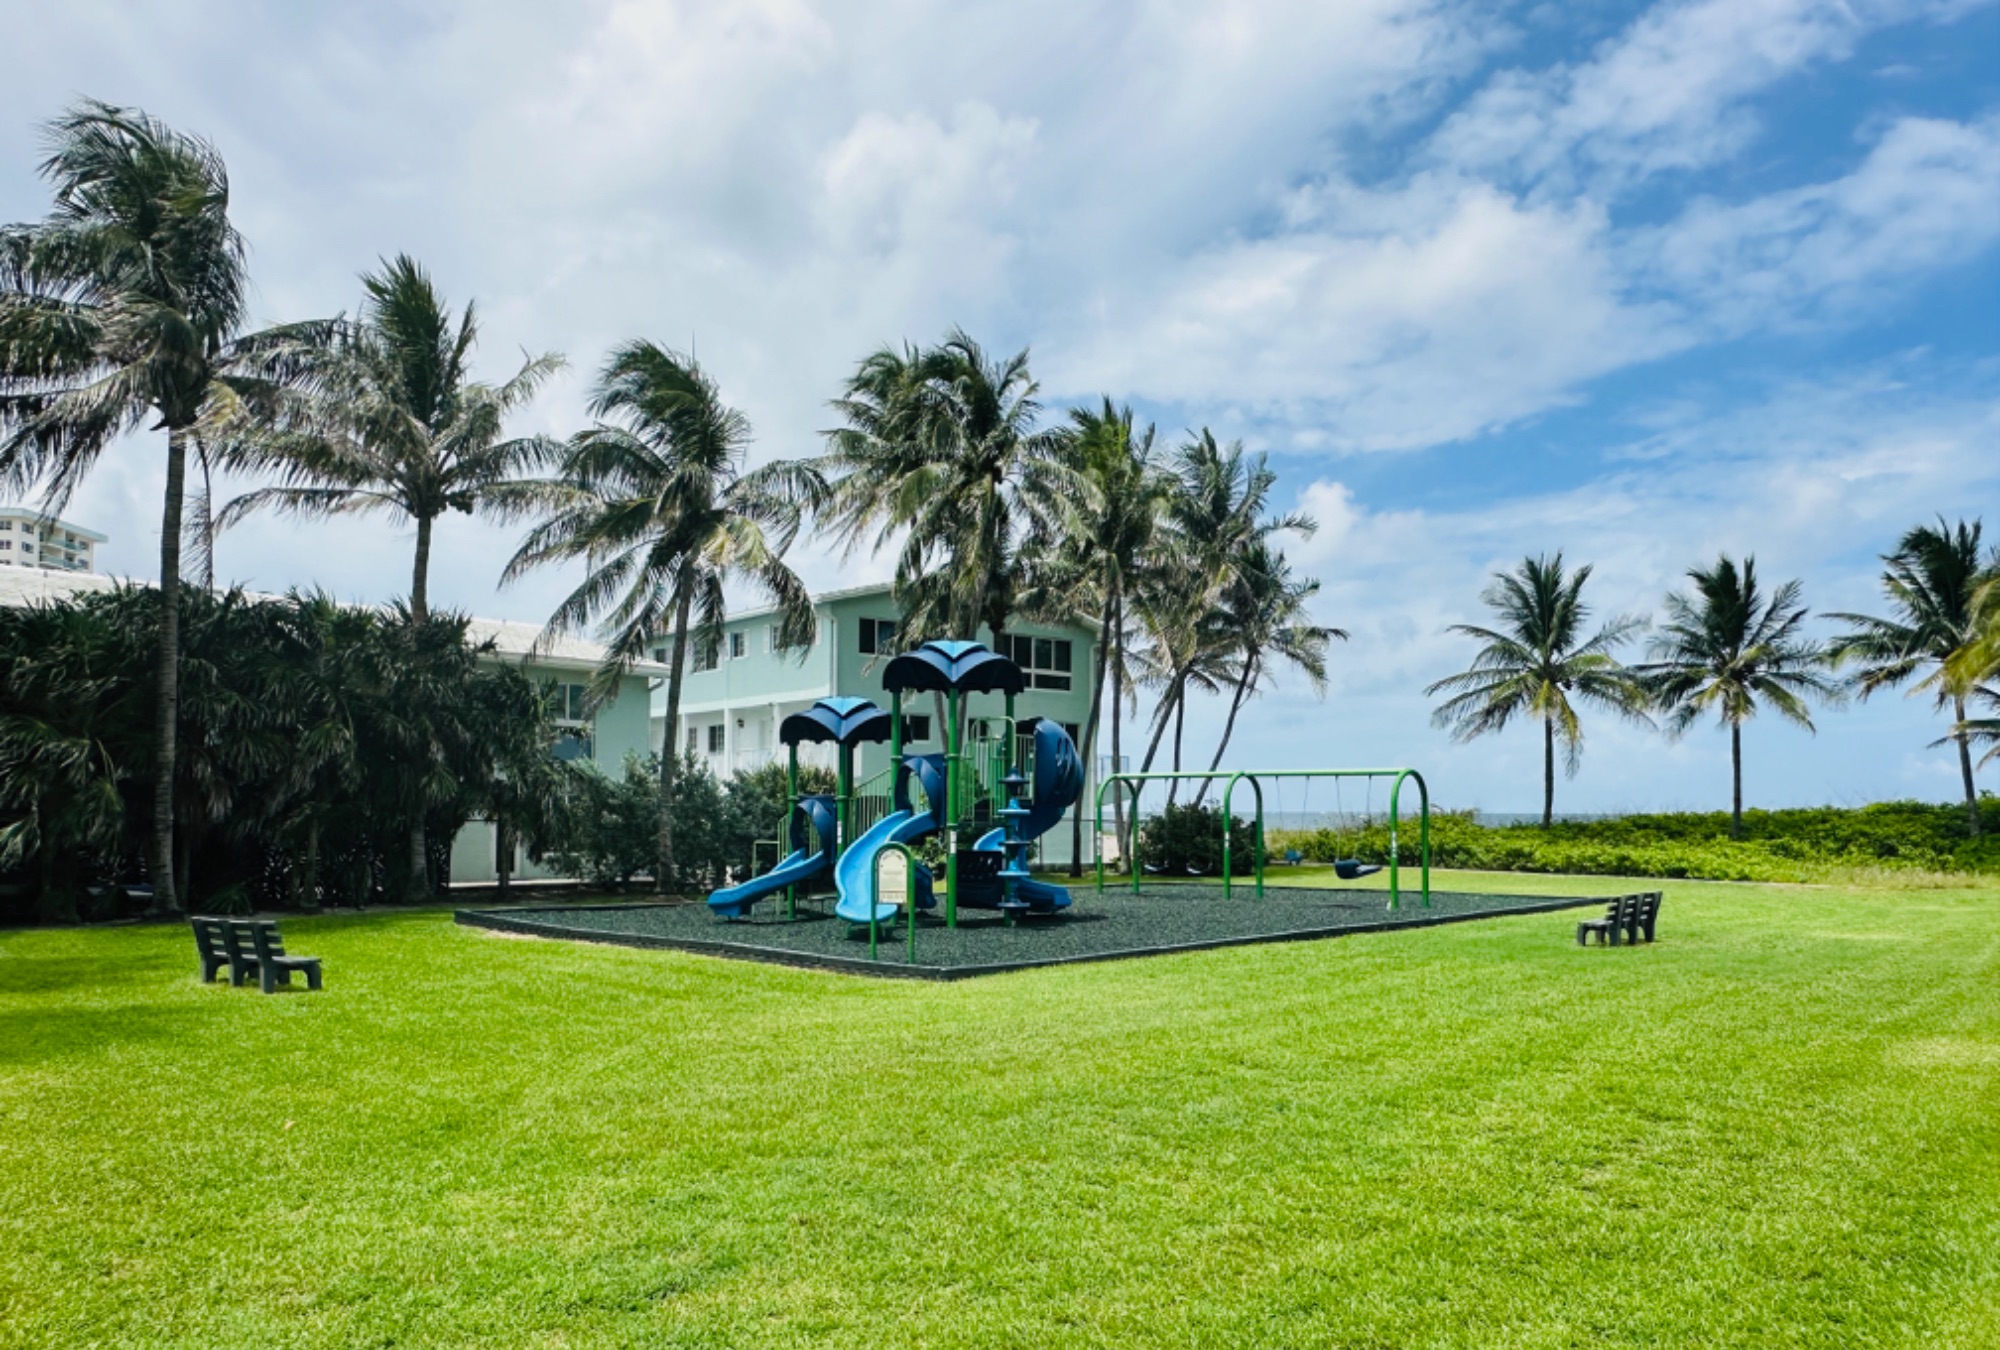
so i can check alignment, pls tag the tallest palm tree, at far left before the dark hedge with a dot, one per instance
(119, 309)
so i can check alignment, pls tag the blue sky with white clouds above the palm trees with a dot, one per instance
(1633, 281)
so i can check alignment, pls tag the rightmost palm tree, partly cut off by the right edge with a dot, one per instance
(1931, 583)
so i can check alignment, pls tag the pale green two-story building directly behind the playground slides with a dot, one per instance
(737, 693)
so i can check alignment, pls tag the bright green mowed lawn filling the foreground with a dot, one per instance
(1777, 1127)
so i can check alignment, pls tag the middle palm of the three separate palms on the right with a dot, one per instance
(1725, 649)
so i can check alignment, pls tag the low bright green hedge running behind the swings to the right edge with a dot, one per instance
(1777, 845)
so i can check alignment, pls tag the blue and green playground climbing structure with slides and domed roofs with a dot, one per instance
(1001, 783)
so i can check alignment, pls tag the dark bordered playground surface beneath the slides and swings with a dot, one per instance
(1115, 925)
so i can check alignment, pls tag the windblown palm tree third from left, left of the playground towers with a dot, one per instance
(657, 501)
